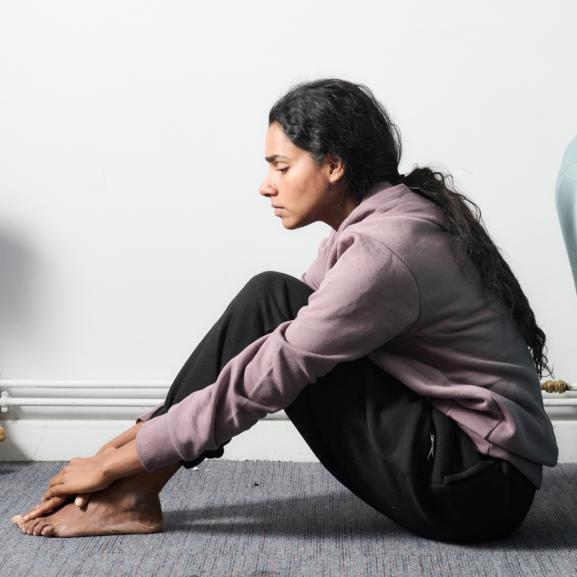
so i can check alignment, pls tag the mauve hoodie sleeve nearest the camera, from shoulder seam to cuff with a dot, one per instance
(368, 297)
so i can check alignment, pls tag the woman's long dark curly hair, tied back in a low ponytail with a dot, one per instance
(334, 116)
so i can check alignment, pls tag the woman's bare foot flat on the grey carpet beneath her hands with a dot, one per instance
(119, 509)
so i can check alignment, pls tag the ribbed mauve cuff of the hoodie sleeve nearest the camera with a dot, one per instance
(153, 445)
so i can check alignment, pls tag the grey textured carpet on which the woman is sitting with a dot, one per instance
(280, 519)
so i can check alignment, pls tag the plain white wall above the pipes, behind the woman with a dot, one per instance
(132, 143)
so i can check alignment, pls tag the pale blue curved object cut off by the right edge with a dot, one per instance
(566, 198)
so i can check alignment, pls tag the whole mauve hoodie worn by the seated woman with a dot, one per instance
(387, 286)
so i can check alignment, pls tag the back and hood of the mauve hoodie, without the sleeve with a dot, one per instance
(464, 351)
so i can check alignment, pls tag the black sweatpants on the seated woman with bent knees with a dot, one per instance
(384, 442)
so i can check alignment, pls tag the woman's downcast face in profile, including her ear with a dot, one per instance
(297, 184)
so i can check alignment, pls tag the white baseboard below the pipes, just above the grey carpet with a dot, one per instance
(268, 440)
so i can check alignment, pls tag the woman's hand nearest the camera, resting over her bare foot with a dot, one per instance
(80, 476)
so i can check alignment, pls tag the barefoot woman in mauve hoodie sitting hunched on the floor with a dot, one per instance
(407, 355)
